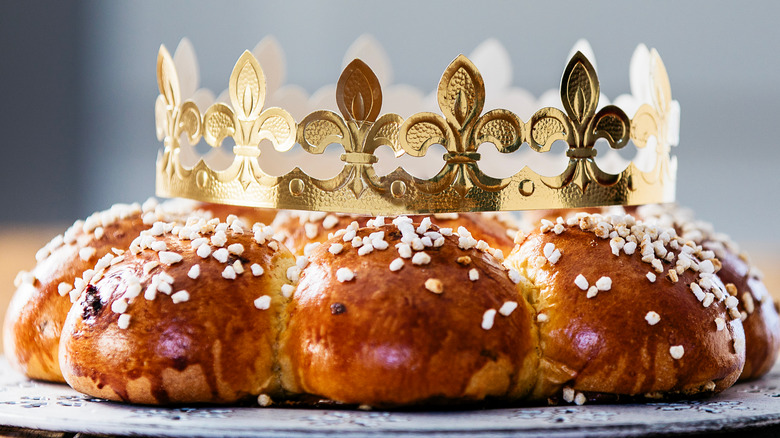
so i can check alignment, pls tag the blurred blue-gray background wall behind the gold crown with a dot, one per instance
(78, 82)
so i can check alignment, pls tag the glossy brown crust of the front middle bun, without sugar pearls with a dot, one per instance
(407, 337)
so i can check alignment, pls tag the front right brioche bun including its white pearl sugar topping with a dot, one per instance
(627, 309)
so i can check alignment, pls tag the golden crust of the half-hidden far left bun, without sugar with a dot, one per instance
(34, 319)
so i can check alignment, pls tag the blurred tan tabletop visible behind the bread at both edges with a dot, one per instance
(18, 245)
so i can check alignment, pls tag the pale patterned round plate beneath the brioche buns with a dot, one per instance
(30, 404)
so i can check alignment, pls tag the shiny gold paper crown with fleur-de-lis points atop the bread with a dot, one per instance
(462, 127)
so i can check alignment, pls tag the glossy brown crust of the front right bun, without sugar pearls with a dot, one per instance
(605, 344)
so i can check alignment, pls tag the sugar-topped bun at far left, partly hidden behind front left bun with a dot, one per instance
(37, 311)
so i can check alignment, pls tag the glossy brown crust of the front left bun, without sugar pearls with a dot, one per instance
(216, 346)
